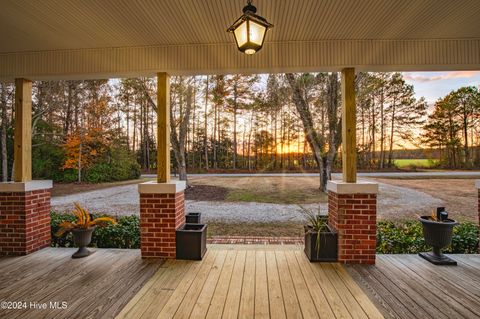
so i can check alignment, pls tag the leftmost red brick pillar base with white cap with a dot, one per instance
(24, 217)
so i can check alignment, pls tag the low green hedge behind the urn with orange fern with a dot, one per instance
(125, 234)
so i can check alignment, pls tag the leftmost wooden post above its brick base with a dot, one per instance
(22, 157)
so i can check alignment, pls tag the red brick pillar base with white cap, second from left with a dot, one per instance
(162, 212)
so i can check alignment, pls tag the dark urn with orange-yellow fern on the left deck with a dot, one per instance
(82, 229)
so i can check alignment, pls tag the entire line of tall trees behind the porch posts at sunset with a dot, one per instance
(104, 130)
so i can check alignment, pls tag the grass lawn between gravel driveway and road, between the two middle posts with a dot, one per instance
(275, 189)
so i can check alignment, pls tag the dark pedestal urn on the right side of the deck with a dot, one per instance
(437, 231)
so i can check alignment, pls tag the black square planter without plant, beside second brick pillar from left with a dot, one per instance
(191, 241)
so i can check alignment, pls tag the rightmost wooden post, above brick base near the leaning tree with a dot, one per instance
(349, 126)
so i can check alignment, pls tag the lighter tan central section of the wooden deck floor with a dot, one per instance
(236, 281)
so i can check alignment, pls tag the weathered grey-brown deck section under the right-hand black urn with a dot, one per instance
(407, 286)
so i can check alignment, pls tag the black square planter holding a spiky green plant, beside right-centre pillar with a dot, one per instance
(321, 241)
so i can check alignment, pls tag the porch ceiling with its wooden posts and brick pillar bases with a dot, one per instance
(342, 37)
